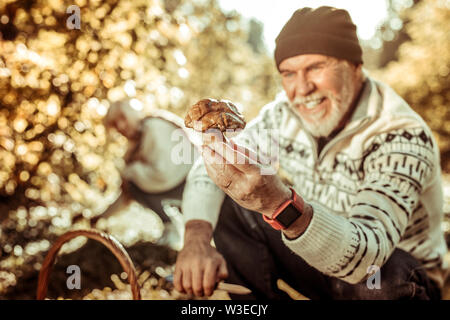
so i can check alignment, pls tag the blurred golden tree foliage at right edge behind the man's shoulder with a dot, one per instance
(421, 75)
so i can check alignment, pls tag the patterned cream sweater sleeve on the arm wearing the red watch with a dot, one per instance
(397, 166)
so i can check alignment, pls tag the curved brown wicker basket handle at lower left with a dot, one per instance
(109, 241)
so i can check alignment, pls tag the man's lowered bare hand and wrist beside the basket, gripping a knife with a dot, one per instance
(199, 265)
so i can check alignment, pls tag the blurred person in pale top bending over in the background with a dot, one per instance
(152, 175)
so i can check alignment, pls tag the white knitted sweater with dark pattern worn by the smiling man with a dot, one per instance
(374, 187)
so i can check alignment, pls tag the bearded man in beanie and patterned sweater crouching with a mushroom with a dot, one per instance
(356, 207)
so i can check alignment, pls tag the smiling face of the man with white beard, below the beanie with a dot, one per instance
(322, 89)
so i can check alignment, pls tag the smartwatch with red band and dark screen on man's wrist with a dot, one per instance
(287, 212)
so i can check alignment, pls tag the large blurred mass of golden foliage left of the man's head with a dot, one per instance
(56, 84)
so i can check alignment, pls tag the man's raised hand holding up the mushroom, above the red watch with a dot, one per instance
(235, 170)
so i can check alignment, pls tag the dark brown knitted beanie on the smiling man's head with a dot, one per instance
(325, 30)
